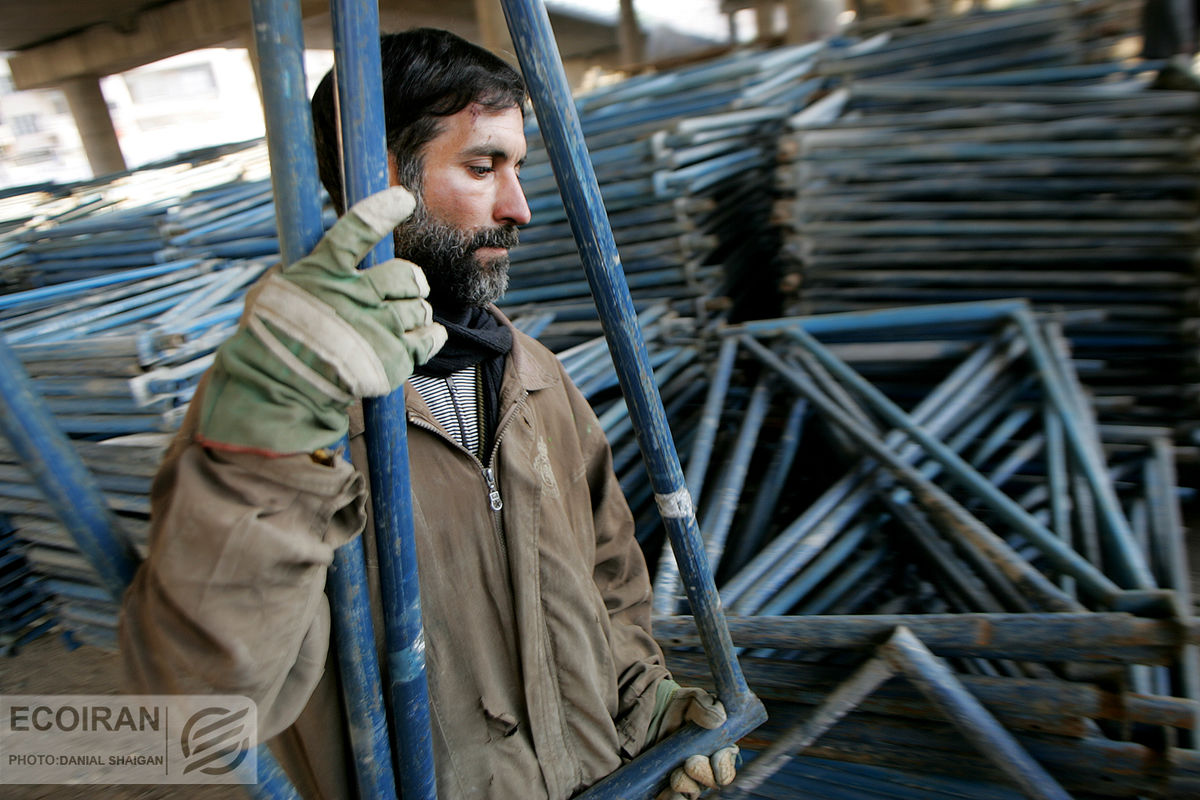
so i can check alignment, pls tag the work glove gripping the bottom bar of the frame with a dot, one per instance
(675, 706)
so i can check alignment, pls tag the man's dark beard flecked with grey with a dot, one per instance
(458, 276)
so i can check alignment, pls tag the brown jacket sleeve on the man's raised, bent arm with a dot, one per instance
(231, 598)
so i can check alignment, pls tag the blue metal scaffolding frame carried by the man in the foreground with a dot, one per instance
(407, 753)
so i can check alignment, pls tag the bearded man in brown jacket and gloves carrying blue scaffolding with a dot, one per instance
(543, 673)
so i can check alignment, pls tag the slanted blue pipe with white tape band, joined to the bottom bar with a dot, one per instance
(535, 44)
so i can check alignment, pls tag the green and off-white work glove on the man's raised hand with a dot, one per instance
(319, 335)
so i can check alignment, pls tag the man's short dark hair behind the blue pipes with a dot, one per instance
(428, 74)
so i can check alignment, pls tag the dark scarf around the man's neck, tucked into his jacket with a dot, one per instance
(476, 336)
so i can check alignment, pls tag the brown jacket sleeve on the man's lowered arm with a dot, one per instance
(622, 576)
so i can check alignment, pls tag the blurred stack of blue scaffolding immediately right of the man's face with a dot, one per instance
(683, 160)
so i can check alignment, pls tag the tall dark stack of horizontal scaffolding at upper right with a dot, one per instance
(1072, 187)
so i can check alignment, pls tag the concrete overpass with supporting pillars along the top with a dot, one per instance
(71, 45)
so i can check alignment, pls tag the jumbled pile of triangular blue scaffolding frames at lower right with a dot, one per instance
(991, 522)
